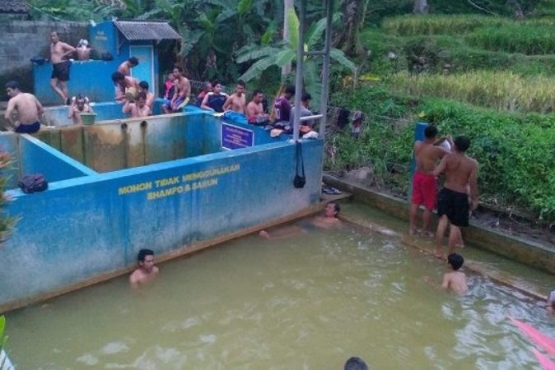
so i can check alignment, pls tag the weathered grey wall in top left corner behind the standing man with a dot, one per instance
(22, 40)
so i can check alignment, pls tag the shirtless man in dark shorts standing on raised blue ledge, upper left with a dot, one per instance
(59, 52)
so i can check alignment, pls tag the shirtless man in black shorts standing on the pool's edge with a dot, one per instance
(453, 204)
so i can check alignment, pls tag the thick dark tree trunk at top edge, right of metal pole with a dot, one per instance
(354, 13)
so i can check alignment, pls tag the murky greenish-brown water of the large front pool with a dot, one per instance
(308, 302)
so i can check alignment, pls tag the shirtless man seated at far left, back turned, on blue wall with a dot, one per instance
(28, 108)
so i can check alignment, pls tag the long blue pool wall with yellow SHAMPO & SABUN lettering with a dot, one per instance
(83, 227)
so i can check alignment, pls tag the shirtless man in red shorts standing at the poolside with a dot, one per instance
(424, 183)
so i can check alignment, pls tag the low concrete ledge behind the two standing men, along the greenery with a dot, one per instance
(526, 252)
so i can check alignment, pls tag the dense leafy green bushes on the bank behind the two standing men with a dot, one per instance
(515, 151)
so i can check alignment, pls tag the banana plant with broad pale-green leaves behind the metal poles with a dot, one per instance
(283, 53)
